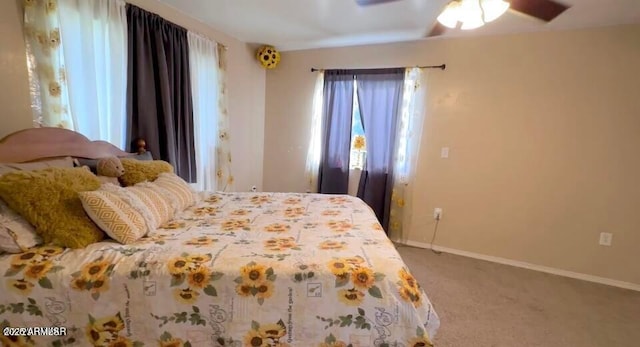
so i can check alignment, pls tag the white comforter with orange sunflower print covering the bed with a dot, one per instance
(237, 269)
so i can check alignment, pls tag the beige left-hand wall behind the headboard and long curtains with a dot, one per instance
(246, 84)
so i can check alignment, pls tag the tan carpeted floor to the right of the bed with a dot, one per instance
(486, 304)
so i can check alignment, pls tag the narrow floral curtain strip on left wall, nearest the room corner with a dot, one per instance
(223, 150)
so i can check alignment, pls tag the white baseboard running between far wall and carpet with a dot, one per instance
(525, 265)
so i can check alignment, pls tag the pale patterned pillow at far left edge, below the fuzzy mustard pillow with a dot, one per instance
(16, 234)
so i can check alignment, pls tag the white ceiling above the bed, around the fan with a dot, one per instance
(304, 24)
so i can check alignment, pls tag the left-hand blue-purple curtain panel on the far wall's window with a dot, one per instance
(333, 177)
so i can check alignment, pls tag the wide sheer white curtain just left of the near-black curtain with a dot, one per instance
(94, 36)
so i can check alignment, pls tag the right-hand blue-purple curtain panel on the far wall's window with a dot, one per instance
(380, 99)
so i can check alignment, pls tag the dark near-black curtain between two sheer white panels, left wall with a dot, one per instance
(159, 104)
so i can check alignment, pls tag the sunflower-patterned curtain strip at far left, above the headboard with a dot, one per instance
(45, 60)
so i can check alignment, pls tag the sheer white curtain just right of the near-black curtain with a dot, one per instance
(203, 64)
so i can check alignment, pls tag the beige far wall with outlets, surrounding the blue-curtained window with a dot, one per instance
(543, 131)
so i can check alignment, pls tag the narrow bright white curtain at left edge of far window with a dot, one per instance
(315, 142)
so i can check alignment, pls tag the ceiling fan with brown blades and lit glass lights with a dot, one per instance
(486, 11)
